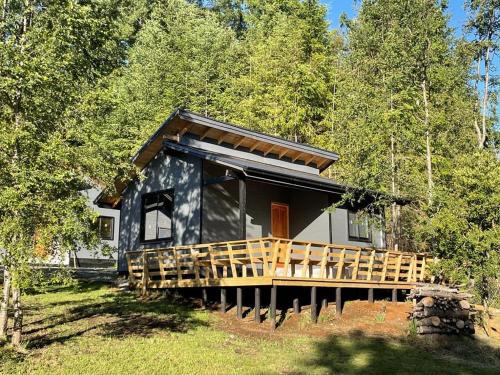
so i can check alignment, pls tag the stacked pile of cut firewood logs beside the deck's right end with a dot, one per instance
(442, 310)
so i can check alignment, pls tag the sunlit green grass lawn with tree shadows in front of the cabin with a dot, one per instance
(95, 329)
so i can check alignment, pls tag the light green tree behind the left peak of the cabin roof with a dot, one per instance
(182, 57)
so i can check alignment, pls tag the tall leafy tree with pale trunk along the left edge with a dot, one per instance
(52, 53)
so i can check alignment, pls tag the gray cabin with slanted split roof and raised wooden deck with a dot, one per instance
(221, 208)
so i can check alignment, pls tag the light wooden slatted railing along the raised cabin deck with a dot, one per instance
(246, 260)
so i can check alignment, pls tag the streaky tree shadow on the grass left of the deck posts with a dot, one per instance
(117, 314)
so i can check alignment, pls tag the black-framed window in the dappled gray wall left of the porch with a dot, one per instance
(156, 220)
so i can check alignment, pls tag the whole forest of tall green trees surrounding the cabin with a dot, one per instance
(410, 107)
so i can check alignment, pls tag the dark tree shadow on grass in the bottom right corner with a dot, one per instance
(357, 353)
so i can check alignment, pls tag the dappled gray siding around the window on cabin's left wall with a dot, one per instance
(181, 173)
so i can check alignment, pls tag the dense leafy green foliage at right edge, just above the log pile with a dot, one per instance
(463, 228)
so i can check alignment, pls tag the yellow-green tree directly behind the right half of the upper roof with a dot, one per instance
(283, 87)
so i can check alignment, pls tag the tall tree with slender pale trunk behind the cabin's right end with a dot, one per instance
(402, 101)
